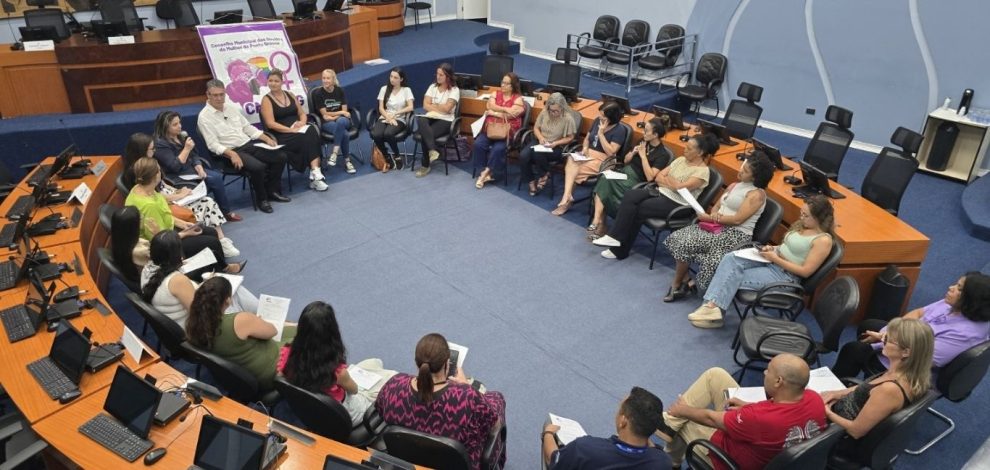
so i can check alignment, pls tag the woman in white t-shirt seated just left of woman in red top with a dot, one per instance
(440, 103)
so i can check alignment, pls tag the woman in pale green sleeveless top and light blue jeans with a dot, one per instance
(804, 249)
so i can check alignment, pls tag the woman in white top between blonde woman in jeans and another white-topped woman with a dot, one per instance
(395, 103)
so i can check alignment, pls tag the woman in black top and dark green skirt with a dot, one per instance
(642, 163)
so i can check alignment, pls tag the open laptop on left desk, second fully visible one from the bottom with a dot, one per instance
(59, 372)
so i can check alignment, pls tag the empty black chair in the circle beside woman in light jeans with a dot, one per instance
(762, 338)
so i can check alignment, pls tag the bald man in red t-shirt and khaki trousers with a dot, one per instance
(750, 433)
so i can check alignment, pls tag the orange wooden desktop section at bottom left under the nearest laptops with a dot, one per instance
(60, 431)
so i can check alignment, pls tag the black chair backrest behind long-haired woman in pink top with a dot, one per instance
(319, 412)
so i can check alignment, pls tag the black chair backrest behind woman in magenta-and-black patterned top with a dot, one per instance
(426, 449)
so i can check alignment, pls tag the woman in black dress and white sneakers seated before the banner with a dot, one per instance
(284, 118)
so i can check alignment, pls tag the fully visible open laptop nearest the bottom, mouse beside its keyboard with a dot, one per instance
(130, 408)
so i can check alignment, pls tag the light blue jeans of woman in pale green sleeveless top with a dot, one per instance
(735, 273)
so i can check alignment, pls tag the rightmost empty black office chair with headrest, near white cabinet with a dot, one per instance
(891, 172)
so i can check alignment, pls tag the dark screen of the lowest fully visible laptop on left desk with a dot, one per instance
(132, 401)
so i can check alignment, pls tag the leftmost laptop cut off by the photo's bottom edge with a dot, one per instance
(227, 446)
